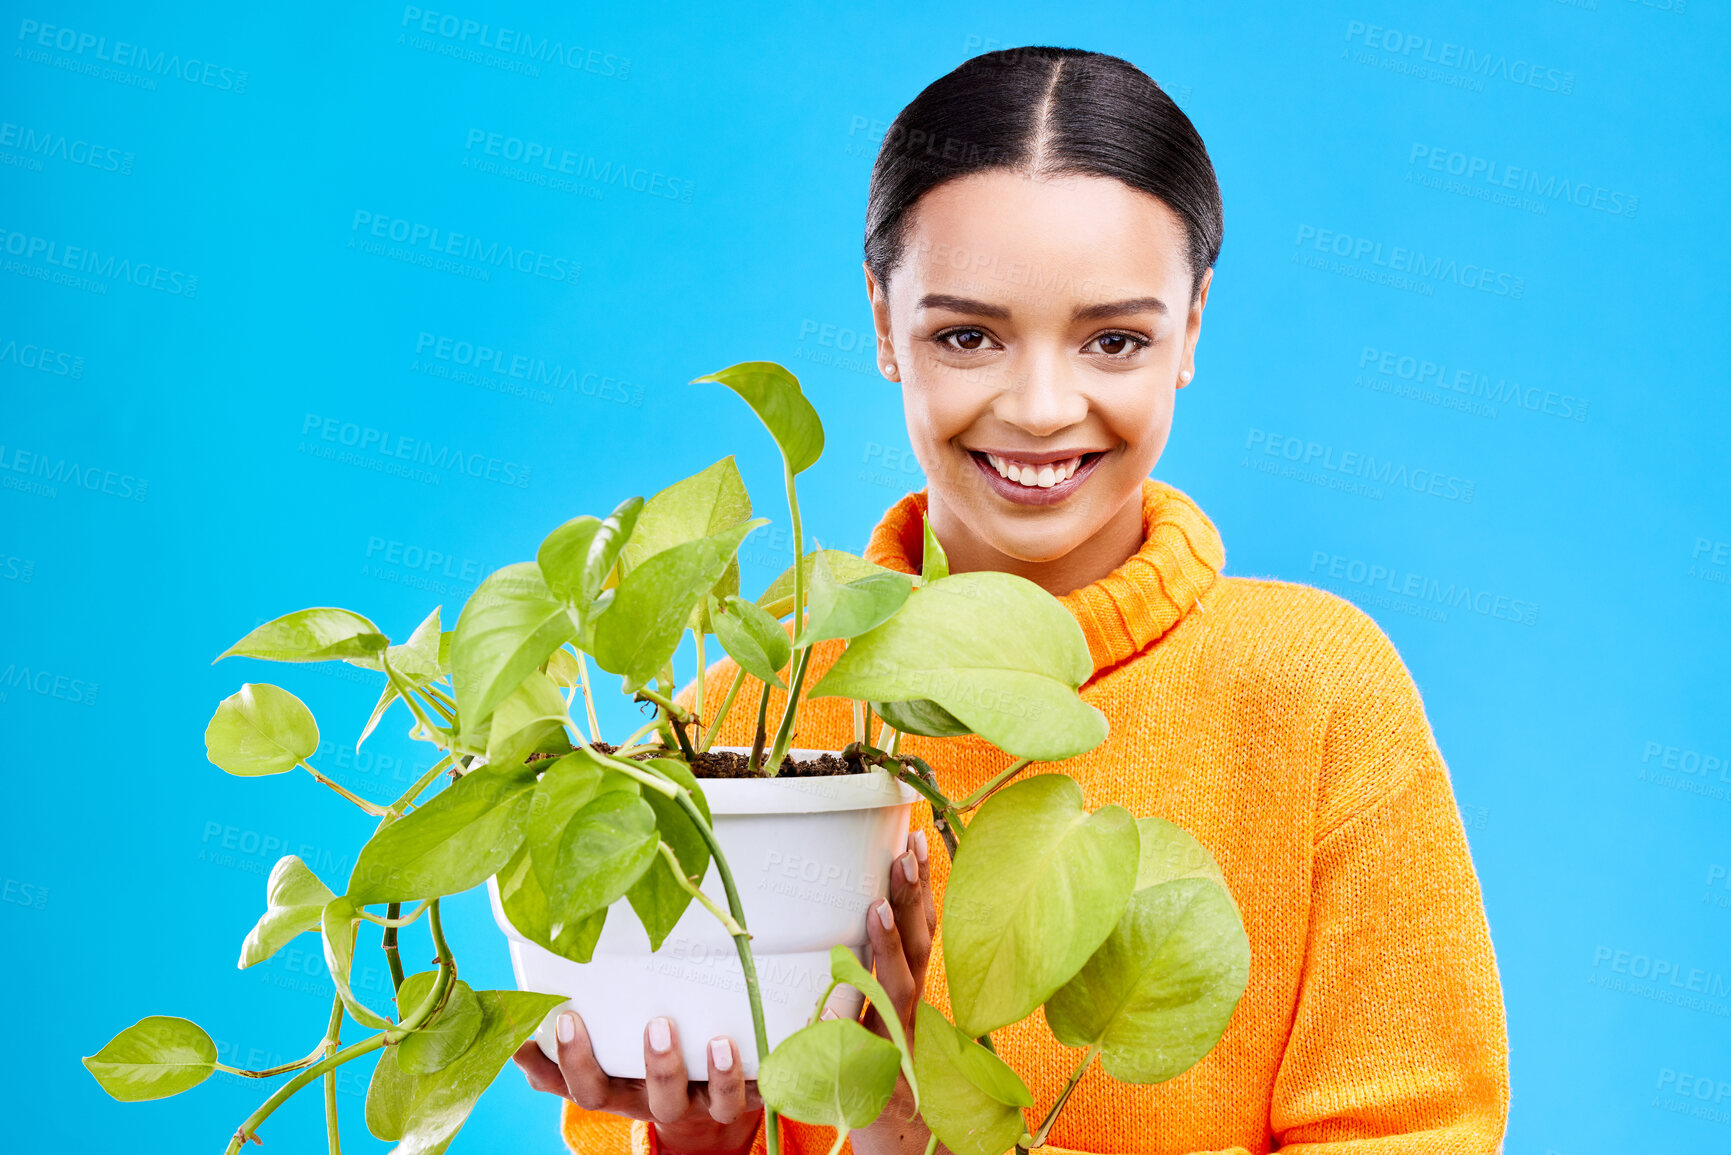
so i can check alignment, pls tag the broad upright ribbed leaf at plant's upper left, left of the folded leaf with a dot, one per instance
(506, 631)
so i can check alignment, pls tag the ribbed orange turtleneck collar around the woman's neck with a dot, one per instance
(1129, 609)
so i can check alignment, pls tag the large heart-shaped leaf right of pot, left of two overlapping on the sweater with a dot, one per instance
(1038, 886)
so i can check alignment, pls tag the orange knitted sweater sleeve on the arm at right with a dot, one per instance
(1398, 1038)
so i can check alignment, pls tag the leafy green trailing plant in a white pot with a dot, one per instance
(600, 856)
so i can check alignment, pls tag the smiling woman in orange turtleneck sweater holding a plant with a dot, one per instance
(1039, 252)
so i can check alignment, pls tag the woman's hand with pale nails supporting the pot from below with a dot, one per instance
(716, 1118)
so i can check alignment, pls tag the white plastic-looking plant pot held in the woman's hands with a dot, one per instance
(809, 858)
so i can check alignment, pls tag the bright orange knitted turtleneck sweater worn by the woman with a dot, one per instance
(1278, 725)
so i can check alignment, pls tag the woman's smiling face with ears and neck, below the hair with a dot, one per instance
(1039, 330)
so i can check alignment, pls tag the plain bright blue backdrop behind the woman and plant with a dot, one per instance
(1581, 706)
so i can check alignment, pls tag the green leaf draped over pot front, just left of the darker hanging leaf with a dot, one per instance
(605, 849)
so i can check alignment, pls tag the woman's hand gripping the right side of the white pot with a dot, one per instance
(901, 932)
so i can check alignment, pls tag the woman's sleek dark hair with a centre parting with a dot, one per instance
(1046, 112)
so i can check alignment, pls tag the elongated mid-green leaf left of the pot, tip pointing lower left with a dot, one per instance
(456, 841)
